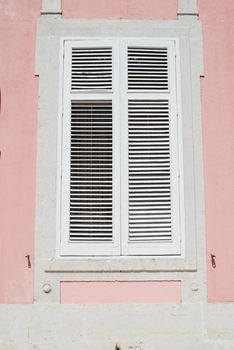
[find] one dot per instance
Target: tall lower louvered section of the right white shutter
(149, 171)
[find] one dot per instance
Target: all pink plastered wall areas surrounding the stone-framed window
(19, 98)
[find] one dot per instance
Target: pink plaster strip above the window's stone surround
(132, 9)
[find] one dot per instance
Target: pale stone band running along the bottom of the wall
(192, 326)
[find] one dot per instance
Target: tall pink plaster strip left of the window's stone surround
(17, 144)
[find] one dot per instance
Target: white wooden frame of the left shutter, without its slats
(70, 245)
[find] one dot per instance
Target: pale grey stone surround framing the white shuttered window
(51, 269)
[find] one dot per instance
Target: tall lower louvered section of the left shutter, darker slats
(91, 171)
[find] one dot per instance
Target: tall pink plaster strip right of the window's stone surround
(218, 140)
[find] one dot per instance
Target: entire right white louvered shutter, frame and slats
(151, 222)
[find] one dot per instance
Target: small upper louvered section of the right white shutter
(147, 68)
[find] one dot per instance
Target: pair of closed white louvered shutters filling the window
(120, 183)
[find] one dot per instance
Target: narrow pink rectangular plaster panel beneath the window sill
(121, 292)
